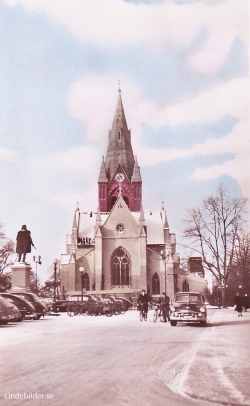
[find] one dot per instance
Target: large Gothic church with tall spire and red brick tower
(119, 247)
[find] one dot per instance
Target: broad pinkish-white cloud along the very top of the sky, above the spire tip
(116, 24)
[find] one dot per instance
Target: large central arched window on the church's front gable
(120, 267)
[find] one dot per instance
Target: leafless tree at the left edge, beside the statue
(7, 249)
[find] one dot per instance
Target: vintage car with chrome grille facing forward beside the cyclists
(188, 307)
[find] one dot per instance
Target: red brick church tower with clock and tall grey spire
(120, 172)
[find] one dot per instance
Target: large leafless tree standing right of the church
(212, 231)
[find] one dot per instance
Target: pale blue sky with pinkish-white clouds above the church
(184, 75)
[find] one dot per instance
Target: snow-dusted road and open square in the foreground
(118, 361)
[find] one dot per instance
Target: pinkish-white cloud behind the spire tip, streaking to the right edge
(89, 101)
